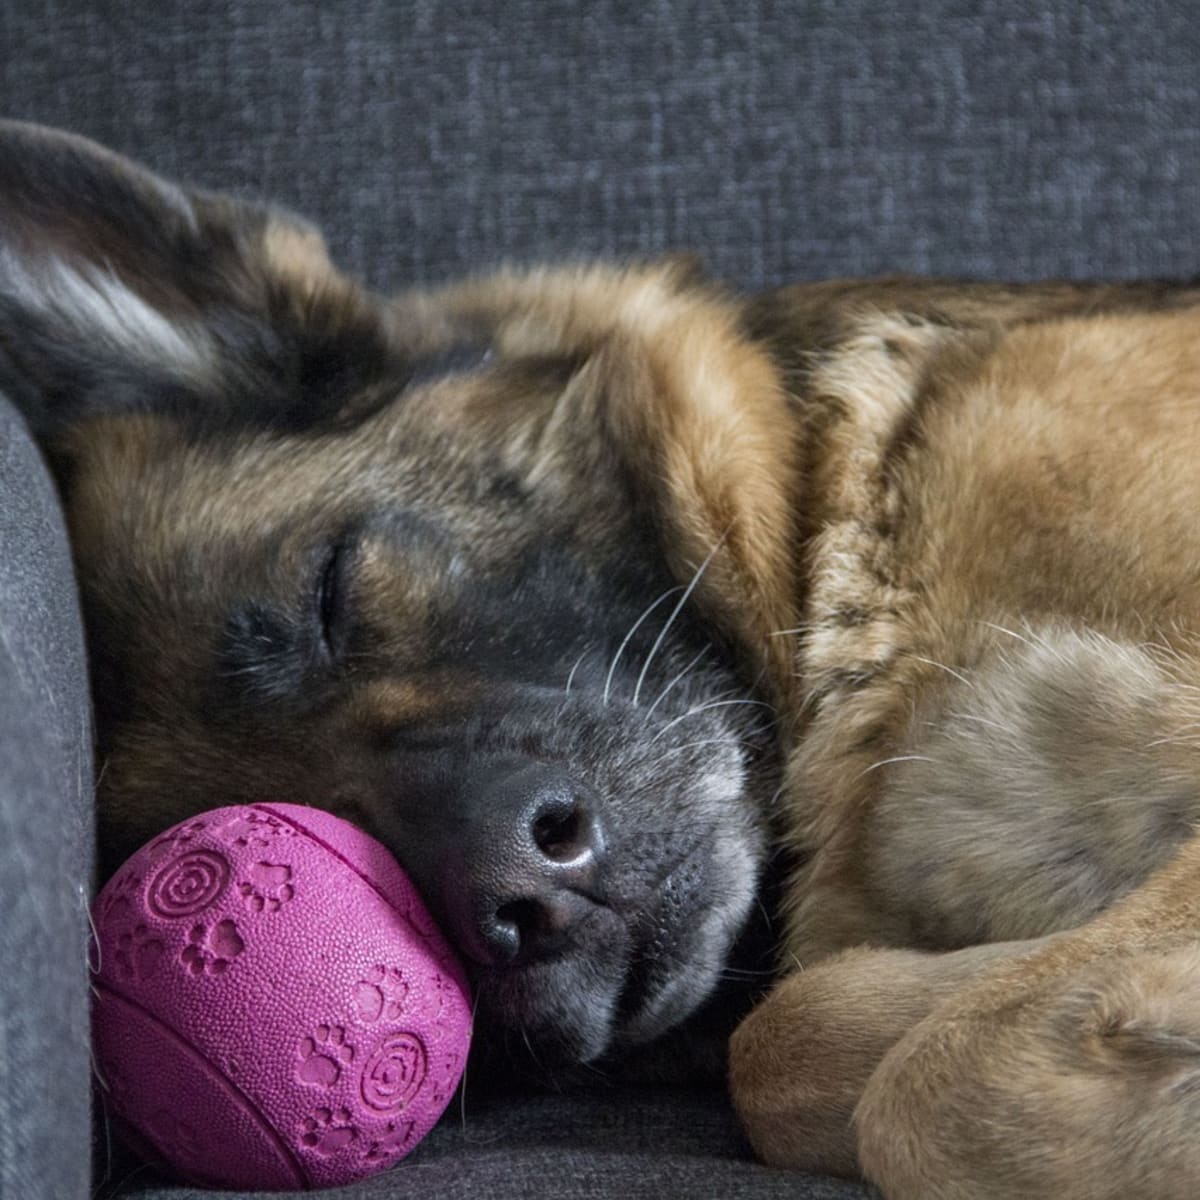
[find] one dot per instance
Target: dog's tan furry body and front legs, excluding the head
(1000, 741)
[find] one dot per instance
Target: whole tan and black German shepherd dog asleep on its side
(901, 580)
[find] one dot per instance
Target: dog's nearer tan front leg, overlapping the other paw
(1071, 1073)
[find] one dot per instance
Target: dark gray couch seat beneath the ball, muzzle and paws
(620, 1145)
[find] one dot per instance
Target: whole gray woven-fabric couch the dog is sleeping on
(995, 139)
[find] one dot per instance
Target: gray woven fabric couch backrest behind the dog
(1011, 139)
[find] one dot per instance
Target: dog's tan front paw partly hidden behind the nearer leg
(801, 1061)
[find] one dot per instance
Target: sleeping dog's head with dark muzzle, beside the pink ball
(512, 617)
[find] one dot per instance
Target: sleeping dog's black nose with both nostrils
(533, 859)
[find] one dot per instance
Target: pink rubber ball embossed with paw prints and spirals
(274, 1006)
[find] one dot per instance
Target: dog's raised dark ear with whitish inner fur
(121, 292)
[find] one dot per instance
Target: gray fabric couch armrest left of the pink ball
(45, 841)
